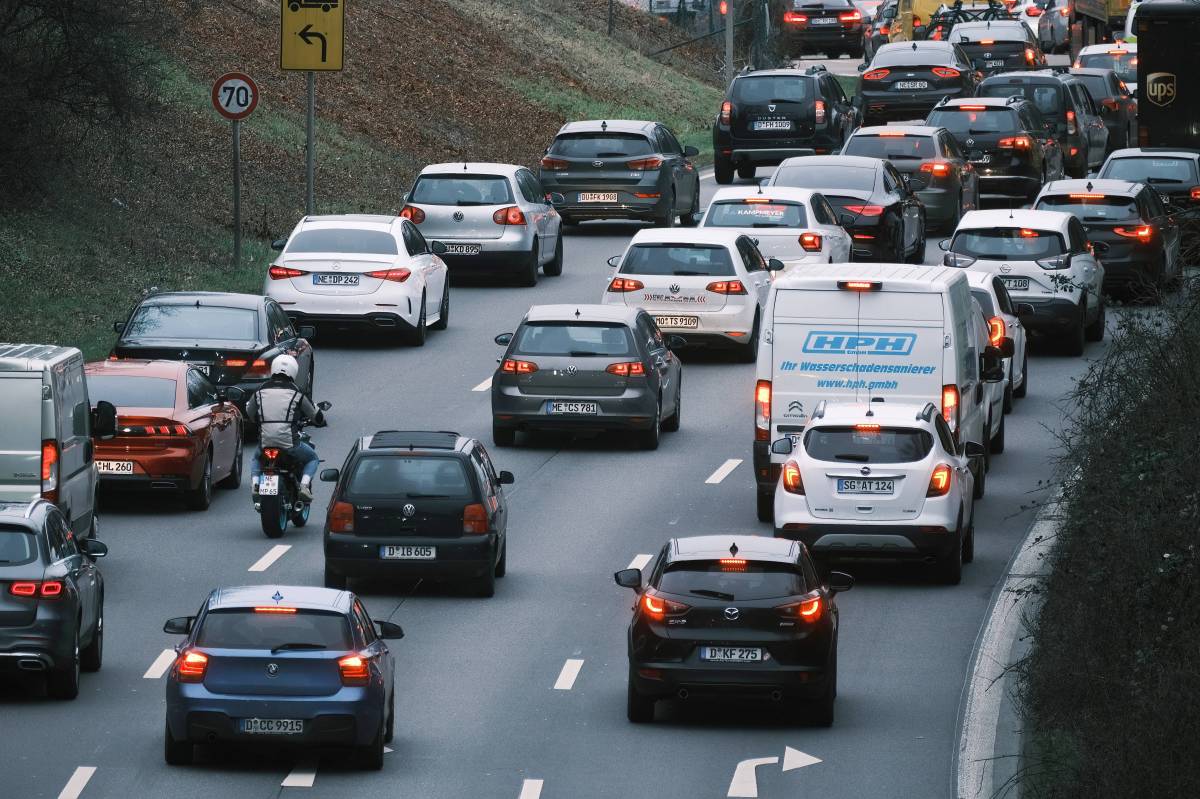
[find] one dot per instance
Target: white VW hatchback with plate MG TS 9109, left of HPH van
(707, 286)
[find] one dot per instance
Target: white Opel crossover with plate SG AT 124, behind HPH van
(879, 480)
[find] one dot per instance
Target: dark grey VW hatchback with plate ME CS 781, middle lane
(587, 368)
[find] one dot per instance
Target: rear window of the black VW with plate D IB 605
(416, 477)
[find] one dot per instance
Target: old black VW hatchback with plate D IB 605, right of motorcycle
(417, 504)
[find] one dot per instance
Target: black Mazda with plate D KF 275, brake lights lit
(734, 615)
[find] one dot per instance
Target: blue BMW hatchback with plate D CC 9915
(283, 665)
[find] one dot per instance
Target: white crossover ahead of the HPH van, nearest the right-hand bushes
(1046, 261)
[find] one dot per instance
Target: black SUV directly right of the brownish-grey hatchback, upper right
(1007, 142)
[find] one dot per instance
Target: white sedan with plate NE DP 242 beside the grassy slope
(362, 272)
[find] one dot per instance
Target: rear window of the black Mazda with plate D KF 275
(739, 581)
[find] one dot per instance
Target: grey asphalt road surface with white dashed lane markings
(489, 700)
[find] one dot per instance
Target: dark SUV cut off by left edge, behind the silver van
(52, 597)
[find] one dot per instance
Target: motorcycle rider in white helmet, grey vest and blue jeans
(280, 408)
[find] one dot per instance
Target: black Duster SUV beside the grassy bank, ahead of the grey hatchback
(775, 115)
